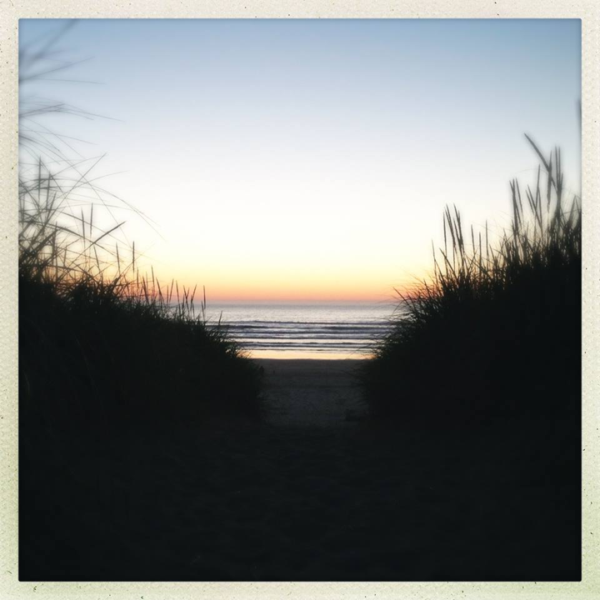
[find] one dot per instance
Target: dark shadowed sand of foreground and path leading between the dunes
(311, 492)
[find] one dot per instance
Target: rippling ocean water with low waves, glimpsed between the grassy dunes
(307, 330)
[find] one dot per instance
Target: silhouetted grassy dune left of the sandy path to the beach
(102, 346)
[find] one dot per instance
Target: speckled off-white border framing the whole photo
(13, 10)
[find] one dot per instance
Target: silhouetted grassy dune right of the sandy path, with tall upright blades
(497, 329)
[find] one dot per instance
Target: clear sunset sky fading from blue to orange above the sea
(310, 160)
